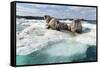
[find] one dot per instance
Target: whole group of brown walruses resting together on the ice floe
(53, 23)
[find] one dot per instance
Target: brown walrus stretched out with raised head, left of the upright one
(54, 23)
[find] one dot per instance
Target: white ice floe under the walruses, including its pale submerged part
(36, 36)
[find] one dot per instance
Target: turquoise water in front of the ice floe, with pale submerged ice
(57, 53)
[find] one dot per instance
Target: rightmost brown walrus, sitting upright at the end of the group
(75, 26)
